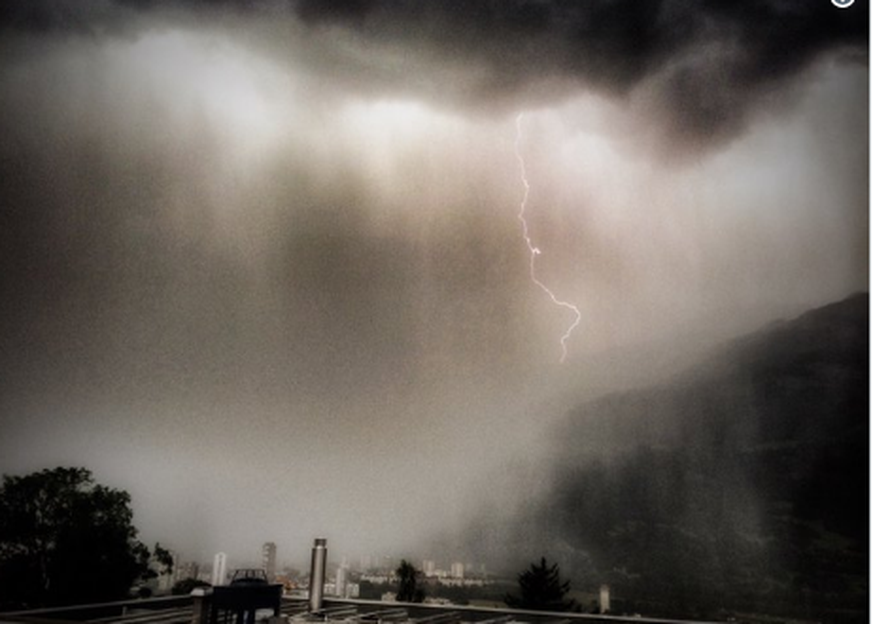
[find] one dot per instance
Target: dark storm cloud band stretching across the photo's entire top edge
(699, 68)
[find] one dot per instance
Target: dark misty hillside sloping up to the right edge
(740, 486)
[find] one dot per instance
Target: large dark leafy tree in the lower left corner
(66, 540)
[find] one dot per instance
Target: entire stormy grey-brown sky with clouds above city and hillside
(263, 264)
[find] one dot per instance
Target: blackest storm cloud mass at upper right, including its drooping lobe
(707, 64)
